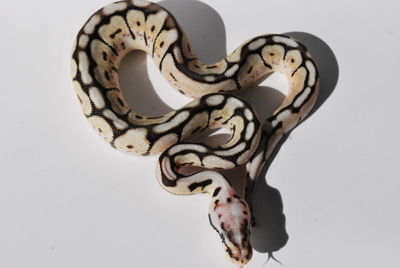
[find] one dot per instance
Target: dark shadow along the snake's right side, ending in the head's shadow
(269, 234)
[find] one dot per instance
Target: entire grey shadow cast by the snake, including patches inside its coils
(206, 32)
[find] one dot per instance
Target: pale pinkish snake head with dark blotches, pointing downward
(230, 217)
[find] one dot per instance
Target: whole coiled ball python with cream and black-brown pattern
(118, 28)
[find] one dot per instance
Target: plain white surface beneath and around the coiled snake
(67, 199)
